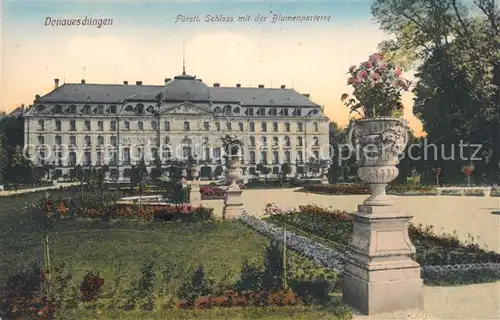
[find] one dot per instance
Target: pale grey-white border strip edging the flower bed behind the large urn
(333, 259)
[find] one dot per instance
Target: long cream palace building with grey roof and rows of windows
(118, 125)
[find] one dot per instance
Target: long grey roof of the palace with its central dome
(186, 89)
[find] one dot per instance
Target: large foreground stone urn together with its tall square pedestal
(380, 275)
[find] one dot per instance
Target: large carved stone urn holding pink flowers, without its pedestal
(378, 143)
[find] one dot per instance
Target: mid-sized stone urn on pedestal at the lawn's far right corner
(233, 203)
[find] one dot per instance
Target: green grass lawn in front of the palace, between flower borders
(119, 251)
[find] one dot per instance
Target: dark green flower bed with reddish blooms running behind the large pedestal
(336, 226)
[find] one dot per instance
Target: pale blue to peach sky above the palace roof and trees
(146, 41)
